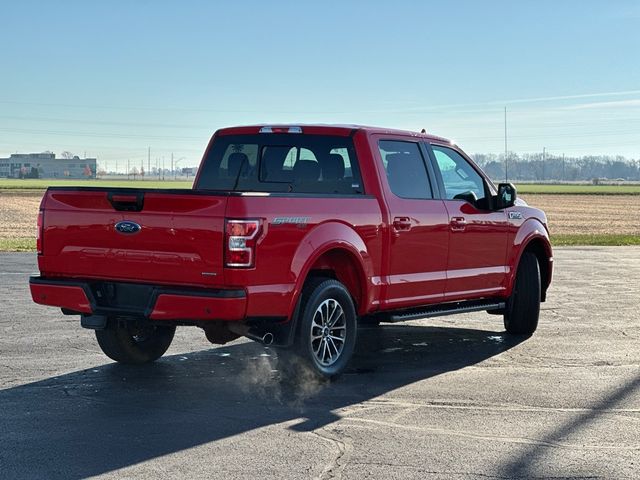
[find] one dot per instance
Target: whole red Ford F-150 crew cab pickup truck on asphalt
(290, 236)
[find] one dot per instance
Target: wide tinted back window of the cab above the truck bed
(282, 163)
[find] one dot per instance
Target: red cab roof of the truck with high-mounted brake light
(342, 130)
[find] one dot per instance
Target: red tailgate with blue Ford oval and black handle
(93, 233)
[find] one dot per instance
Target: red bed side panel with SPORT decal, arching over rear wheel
(286, 252)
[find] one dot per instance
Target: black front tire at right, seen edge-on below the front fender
(523, 307)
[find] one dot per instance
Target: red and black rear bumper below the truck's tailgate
(149, 301)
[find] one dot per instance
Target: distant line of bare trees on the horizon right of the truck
(539, 167)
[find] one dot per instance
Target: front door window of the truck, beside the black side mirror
(458, 176)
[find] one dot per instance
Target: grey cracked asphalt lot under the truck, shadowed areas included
(446, 398)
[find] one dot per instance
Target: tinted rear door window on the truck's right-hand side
(405, 168)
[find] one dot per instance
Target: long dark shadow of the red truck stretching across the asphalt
(101, 419)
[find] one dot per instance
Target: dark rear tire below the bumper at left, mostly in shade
(134, 344)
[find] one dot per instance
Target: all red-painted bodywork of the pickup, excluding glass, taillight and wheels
(181, 243)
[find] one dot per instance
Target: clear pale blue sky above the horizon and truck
(114, 77)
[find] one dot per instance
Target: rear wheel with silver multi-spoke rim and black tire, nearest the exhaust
(318, 348)
